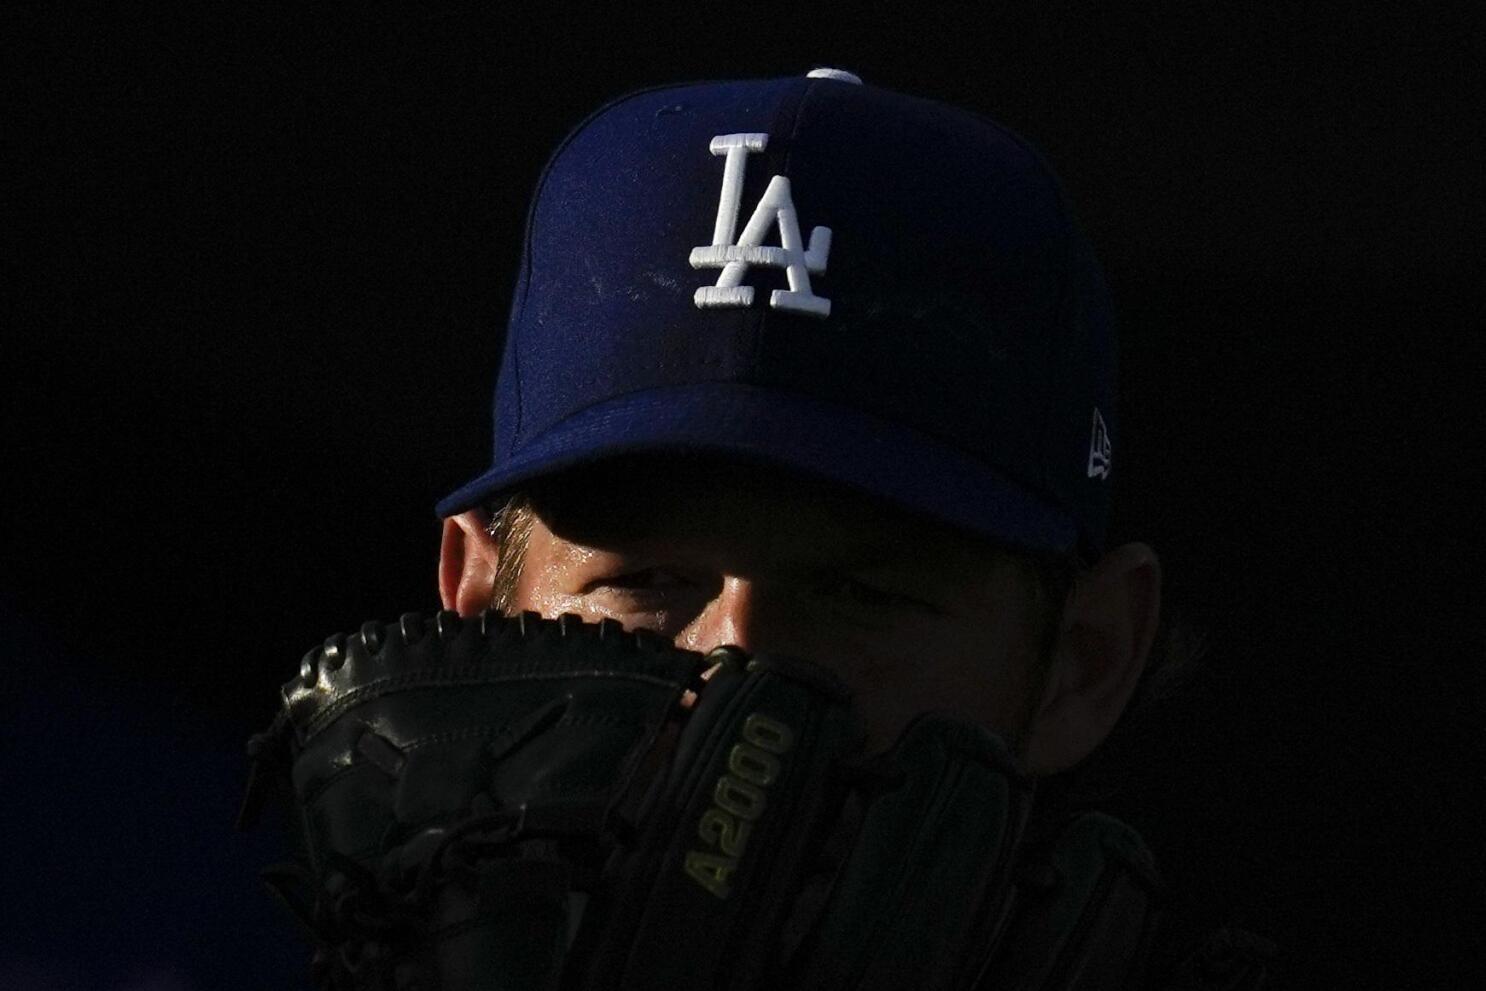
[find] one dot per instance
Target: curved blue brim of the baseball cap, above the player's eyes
(830, 442)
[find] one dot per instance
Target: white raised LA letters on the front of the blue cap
(735, 259)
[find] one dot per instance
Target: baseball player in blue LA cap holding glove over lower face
(802, 375)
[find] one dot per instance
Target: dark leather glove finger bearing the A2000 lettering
(747, 797)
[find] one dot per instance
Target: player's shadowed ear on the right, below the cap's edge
(1109, 625)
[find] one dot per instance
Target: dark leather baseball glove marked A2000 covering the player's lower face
(524, 803)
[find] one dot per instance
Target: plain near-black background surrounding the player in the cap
(256, 276)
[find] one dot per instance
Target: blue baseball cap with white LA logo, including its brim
(823, 276)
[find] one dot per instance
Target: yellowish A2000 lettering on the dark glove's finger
(739, 799)
